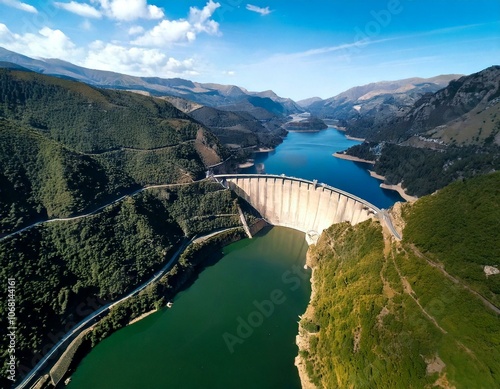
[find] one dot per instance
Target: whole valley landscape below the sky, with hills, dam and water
(103, 187)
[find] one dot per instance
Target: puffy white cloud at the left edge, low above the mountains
(47, 43)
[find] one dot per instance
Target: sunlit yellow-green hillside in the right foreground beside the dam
(403, 314)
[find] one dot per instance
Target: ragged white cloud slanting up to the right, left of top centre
(182, 30)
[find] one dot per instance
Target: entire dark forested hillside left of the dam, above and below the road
(66, 149)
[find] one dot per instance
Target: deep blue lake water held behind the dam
(308, 155)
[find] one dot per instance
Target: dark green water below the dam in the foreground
(201, 342)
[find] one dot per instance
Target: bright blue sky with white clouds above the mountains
(296, 48)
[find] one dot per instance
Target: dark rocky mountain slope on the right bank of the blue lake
(452, 134)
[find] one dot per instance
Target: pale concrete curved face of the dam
(299, 204)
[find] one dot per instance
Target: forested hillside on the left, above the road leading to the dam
(67, 148)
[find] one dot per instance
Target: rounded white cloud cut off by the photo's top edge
(128, 10)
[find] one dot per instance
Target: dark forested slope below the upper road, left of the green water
(61, 267)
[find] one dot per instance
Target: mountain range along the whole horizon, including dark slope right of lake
(405, 122)
